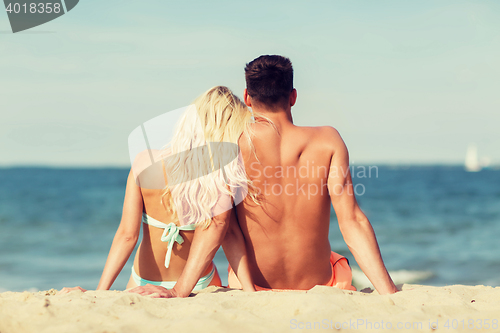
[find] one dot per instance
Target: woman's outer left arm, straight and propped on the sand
(126, 236)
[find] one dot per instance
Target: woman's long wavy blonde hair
(203, 166)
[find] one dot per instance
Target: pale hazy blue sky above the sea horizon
(404, 82)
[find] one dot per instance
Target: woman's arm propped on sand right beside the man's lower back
(236, 254)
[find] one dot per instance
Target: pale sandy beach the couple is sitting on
(415, 309)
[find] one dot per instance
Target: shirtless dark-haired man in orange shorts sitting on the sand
(297, 172)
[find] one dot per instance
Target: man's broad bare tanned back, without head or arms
(287, 235)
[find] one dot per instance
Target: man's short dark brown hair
(269, 78)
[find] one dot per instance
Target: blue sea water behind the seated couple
(435, 225)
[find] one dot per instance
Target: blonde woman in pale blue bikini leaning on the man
(194, 204)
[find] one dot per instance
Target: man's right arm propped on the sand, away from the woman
(354, 225)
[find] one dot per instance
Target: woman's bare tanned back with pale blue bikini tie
(153, 257)
